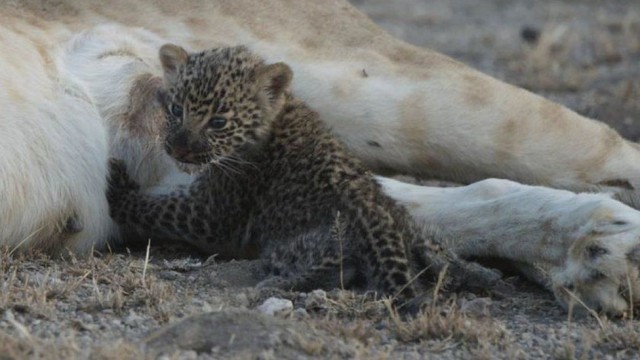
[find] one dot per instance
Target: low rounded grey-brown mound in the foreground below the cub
(240, 334)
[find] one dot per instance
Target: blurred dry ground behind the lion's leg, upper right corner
(582, 53)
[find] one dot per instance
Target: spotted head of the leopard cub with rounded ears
(219, 102)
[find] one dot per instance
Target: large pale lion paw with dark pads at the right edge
(601, 270)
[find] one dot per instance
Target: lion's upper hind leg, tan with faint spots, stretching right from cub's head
(464, 126)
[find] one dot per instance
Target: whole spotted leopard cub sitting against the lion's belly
(274, 183)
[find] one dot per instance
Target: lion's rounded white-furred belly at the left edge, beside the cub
(53, 151)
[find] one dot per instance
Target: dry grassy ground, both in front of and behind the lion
(172, 304)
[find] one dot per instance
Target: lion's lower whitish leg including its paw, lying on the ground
(588, 243)
